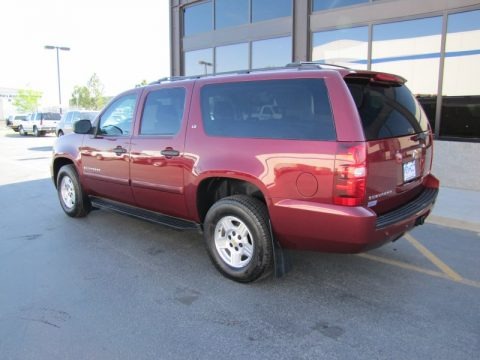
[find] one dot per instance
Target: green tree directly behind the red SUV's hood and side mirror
(89, 96)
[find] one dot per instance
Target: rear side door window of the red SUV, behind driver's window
(163, 112)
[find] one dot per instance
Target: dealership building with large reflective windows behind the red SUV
(434, 44)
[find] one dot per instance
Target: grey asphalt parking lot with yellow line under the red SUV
(112, 287)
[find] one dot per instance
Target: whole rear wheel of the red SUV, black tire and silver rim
(243, 256)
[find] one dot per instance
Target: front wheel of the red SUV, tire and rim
(70, 193)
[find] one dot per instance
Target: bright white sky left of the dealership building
(122, 41)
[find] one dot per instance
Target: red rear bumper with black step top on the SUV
(330, 228)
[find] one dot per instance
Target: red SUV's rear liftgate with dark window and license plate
(399, 140)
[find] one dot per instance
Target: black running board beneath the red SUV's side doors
(147, 215)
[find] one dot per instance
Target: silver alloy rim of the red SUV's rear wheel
(234, 242)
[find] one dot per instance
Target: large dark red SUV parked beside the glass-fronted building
(304, 157)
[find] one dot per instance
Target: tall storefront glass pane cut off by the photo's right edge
(461, 91)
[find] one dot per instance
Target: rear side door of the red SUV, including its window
(157, 158)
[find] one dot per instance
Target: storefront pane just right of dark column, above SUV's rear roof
(345, 47)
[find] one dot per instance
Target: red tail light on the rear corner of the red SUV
(350, 174)
